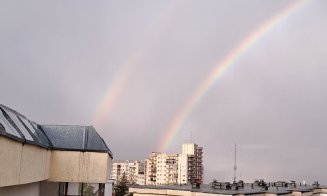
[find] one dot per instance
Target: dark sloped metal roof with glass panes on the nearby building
(59, 137)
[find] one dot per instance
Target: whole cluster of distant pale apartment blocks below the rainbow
(159, 168)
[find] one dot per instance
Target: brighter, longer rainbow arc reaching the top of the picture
(219, 69)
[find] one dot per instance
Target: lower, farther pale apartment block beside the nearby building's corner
(133, 170)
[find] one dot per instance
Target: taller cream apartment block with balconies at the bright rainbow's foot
(169, 169)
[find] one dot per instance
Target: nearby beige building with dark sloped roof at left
(50, 160)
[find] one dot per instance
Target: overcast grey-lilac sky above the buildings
(128, 68)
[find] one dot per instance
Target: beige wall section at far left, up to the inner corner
(22, 163)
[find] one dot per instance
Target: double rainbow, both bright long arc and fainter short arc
(116, 86)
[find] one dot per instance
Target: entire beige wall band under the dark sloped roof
(24, 163)
